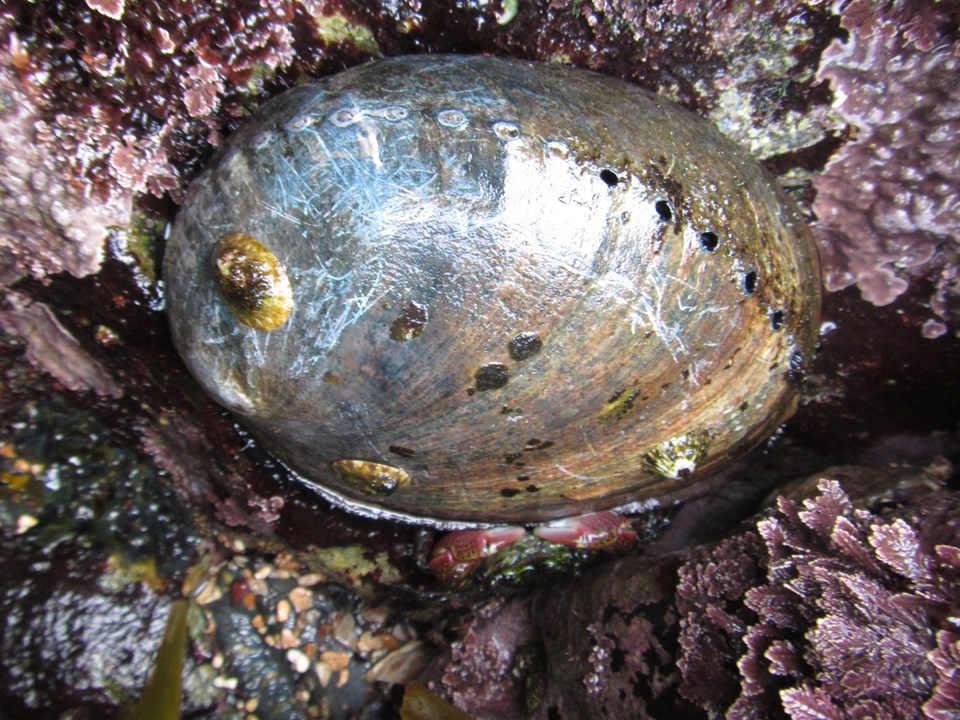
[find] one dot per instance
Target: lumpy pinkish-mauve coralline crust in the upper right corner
(889, 202)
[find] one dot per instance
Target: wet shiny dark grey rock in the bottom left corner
(69, 642)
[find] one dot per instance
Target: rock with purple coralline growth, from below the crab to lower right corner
(822, 610)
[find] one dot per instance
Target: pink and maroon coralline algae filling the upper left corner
(104, 102)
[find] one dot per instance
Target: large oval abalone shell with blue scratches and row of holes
(516, 291)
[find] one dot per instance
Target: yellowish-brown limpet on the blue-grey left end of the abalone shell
(251, 281)
